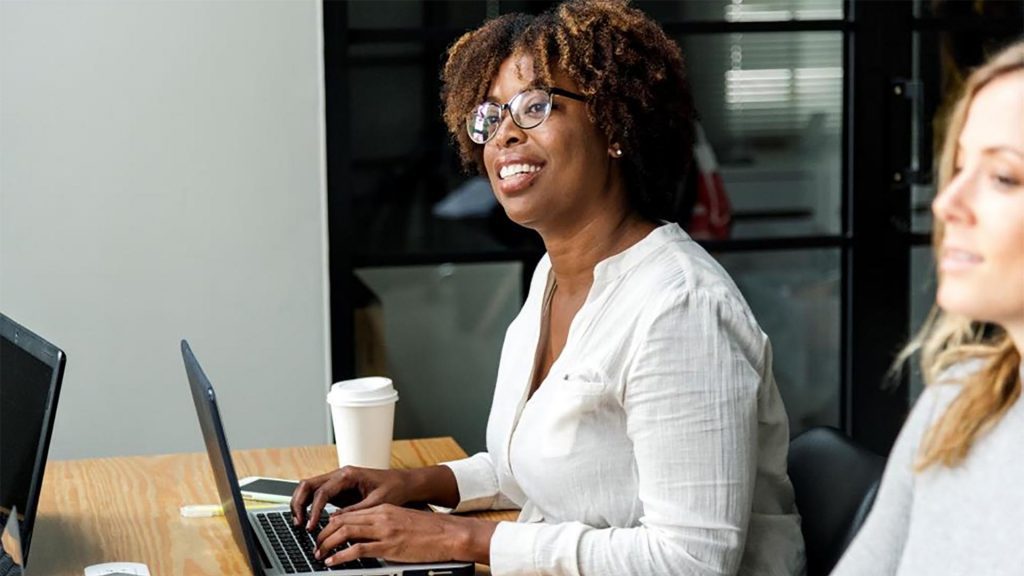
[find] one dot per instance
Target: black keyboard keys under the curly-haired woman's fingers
(294, 547)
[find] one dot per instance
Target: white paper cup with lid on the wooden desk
(363, 413)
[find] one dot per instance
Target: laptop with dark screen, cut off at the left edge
(31, 371)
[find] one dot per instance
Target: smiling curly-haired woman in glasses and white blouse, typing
(635, 420)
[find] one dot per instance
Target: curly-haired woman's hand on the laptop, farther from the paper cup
(405, 536)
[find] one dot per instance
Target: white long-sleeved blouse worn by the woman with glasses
(657, 444)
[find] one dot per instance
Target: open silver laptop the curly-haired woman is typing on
(267, 537)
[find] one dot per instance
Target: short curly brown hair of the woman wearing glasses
(630, 71)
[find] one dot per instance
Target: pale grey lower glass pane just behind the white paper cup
(438, 332)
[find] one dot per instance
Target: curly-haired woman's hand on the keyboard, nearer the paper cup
(374, 487)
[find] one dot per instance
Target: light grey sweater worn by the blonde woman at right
(968, 520)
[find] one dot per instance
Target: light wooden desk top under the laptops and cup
(126, 510)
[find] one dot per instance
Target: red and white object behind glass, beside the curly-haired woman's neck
(712, 218)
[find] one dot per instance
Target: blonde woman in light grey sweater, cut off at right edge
(952, 501)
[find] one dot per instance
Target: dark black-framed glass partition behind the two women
(823, 116)
